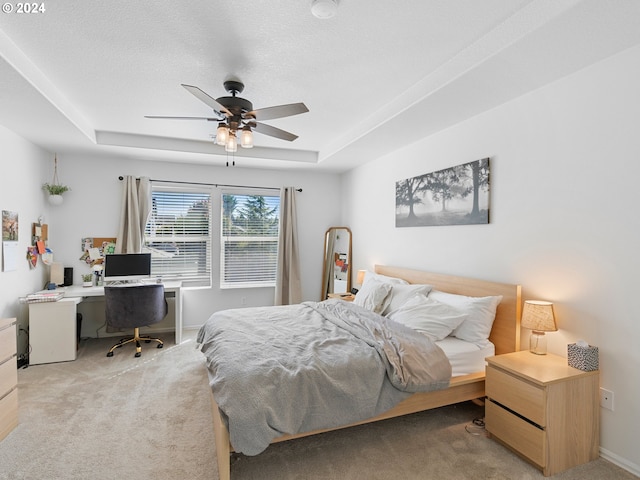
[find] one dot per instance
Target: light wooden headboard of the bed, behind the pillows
(505, 333)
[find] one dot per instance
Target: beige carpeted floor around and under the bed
(150, 418)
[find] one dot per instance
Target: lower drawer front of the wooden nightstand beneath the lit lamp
(519, 434)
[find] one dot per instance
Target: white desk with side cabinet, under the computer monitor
(52, 325)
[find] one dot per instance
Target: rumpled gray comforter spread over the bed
(297, 368)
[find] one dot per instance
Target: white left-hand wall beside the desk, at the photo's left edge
(24, 169)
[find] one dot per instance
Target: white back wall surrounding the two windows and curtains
(92, 209)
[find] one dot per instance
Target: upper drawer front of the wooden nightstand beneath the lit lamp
(518, 395)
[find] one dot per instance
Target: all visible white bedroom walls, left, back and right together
(564, 220)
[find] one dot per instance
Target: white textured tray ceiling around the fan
(81, 76)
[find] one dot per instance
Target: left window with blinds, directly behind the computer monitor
(178, 234)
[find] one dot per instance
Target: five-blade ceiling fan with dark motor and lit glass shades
(236, 114)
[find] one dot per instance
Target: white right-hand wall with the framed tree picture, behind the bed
(564, 218)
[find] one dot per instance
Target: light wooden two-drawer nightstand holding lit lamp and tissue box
(543, 409)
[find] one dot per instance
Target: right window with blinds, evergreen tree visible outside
(249, 240)
